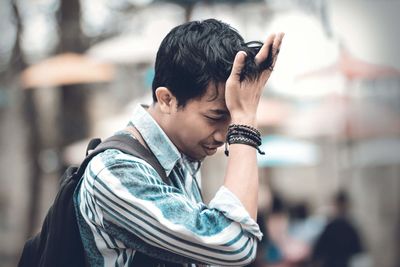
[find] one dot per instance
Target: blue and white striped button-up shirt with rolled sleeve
(124, 206)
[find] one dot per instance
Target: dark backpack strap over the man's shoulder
(126, 144)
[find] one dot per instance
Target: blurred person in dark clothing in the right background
(339, 242)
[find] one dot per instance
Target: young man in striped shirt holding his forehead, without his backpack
(206, 79)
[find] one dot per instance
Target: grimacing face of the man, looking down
(200, 127)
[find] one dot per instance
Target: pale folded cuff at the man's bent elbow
(228, 203)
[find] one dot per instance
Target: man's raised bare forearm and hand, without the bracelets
(242, 99)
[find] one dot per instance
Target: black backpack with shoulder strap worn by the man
(59, 242)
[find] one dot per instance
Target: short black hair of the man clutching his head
(199, 53)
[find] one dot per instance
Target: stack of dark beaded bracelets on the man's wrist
(243, 134)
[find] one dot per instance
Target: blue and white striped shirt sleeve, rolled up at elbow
(132, 198)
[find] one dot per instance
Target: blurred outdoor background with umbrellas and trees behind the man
(330, 115)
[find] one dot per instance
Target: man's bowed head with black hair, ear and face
(192, 65)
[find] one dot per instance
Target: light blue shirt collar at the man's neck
(156, 139)
